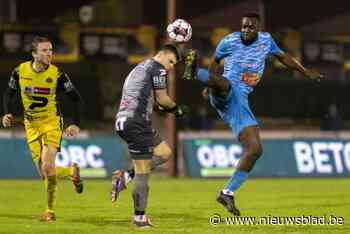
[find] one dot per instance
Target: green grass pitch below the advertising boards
(175, 206)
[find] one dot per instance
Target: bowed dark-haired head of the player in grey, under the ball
(168, 55)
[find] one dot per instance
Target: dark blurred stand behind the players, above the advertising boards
(98, 42)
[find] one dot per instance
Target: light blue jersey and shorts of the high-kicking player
(243, 67)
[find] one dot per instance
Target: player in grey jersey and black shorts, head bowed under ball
(144, 86)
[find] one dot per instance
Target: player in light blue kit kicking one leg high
(244, 54)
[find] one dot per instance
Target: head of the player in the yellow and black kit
(42, 50)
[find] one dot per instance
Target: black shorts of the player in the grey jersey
(139, 135)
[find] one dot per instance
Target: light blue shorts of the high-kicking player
(234, 110)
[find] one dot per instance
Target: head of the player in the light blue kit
(250, 26)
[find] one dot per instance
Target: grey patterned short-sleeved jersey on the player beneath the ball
(138, 89)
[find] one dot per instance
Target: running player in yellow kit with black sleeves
(38, 83)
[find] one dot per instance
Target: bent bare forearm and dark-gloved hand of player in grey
(166, 104)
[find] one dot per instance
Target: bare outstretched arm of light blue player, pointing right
(294, 64)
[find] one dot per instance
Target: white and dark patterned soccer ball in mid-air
(179, 31)
